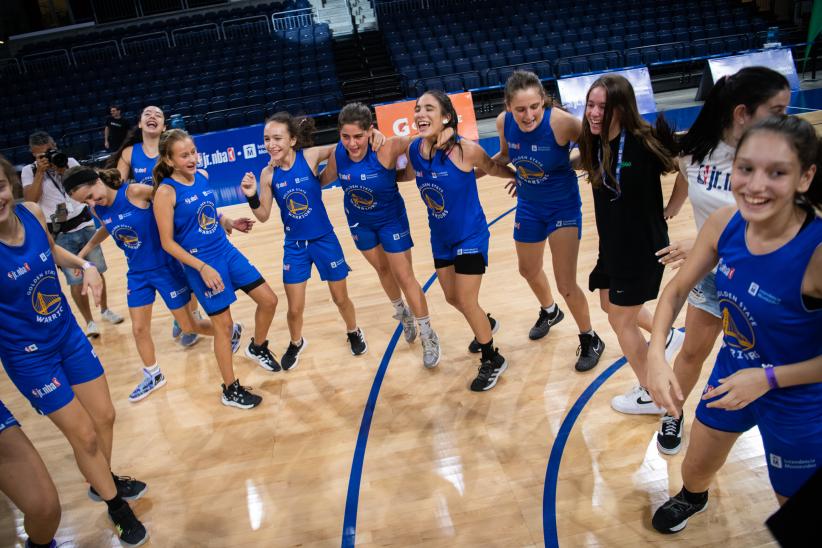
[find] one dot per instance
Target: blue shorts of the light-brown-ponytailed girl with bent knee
(236, 272)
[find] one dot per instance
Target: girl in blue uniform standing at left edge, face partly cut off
(50, 361)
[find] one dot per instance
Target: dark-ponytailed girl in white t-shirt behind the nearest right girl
(707, 151)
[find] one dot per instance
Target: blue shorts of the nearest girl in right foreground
(792, 456)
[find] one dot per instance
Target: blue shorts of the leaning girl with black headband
(169, 281)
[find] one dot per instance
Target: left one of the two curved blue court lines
(349, 534)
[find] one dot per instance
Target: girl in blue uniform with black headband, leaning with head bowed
(125, 211)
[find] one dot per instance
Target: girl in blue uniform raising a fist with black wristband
(291, 179)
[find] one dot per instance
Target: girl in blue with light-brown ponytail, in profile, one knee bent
(194, 233)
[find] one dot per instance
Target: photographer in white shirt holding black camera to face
(69, 221)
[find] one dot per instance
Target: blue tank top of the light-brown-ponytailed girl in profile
(197, 227)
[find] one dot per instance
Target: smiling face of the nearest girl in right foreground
(767, 174)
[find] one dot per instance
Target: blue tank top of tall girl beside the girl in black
(543, 167)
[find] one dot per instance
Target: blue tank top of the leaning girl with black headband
(134, 230)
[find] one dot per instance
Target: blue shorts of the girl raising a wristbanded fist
(324, 252)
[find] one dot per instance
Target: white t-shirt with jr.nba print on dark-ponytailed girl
(709, 181)
